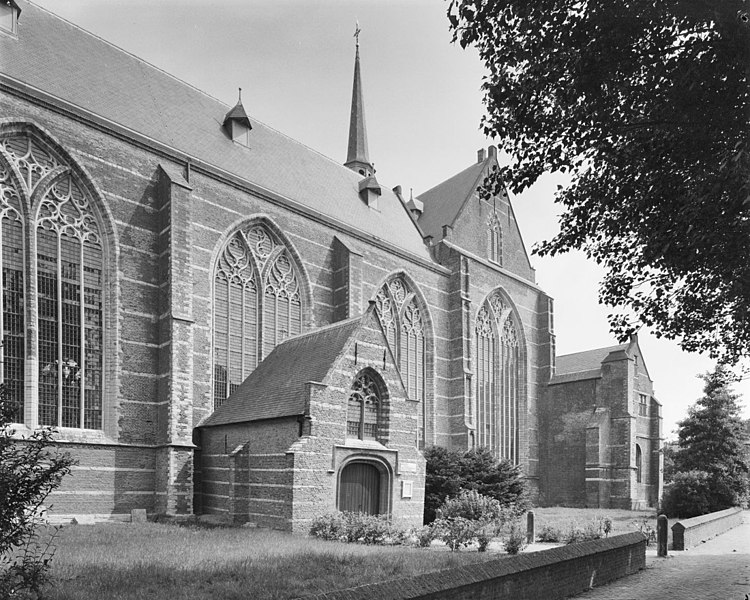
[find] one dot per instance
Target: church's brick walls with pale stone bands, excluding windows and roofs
(165, 221)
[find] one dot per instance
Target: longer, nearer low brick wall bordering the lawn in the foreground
(546, 575)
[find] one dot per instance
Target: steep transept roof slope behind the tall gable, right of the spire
(443, 202)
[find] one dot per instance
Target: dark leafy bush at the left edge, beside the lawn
(30, 468)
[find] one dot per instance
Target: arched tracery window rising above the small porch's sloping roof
(257, 304)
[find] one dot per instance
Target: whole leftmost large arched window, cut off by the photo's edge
(68, 268)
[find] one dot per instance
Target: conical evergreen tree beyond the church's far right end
(710, 440)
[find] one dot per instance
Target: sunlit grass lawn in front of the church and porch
(152, 560)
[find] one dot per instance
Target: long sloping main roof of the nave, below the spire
(66, 62)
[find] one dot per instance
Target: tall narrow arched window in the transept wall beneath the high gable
(498, 377)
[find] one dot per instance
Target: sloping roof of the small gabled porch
(276, 388)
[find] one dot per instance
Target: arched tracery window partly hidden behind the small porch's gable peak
(404, 328)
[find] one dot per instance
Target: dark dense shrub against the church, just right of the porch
(449, 472)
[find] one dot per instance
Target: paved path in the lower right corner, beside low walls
(716, 570)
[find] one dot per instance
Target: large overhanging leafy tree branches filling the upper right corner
(646, 106)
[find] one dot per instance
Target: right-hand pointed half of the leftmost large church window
(69, 295)
